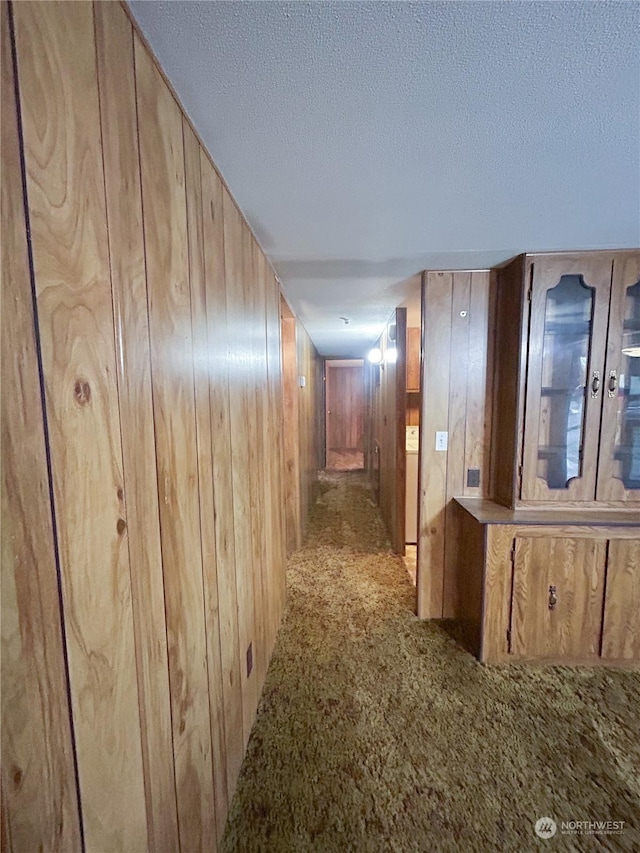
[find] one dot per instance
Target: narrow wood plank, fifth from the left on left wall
(205, 467)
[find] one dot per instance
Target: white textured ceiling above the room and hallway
(366, 141)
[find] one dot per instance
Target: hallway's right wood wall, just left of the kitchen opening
(385, 413)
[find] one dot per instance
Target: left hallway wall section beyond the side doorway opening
(303, 434)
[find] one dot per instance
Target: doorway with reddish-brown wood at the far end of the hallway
(344, 414)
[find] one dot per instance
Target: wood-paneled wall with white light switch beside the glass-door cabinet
(457, 389)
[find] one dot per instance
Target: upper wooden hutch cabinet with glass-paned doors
(567, 405)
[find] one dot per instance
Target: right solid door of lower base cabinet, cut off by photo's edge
(621, 629)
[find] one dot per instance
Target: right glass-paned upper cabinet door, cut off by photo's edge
(619, 459)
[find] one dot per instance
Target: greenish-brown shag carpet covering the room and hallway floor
(377, 732)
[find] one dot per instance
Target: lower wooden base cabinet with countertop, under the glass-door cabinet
(559, 587)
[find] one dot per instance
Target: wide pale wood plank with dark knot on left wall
(57, 73)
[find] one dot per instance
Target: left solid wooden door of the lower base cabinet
(558, 588)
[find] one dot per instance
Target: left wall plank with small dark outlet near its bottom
(239, 414)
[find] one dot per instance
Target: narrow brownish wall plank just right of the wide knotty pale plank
(114, 37)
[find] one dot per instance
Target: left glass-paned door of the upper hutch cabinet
(565, 382)
